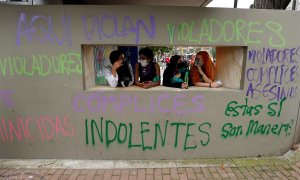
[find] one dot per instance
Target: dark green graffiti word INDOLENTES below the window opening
(148, 135)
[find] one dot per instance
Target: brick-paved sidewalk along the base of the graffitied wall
(283, 167)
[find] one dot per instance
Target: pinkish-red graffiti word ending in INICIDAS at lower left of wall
(48, 128)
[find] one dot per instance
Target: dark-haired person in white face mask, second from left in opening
(147, 72)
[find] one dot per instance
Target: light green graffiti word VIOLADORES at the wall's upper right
(213, 30)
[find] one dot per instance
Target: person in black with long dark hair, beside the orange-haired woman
(176, 73)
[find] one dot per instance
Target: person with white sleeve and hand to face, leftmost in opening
(119, 73)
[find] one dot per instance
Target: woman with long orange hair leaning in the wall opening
(203, 71)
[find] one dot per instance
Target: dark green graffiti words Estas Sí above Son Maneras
(235, 109)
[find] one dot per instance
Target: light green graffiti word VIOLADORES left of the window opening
(41, 65)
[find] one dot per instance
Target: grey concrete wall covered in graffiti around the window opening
(46, 112)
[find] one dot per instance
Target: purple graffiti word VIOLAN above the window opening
(110, 26)
